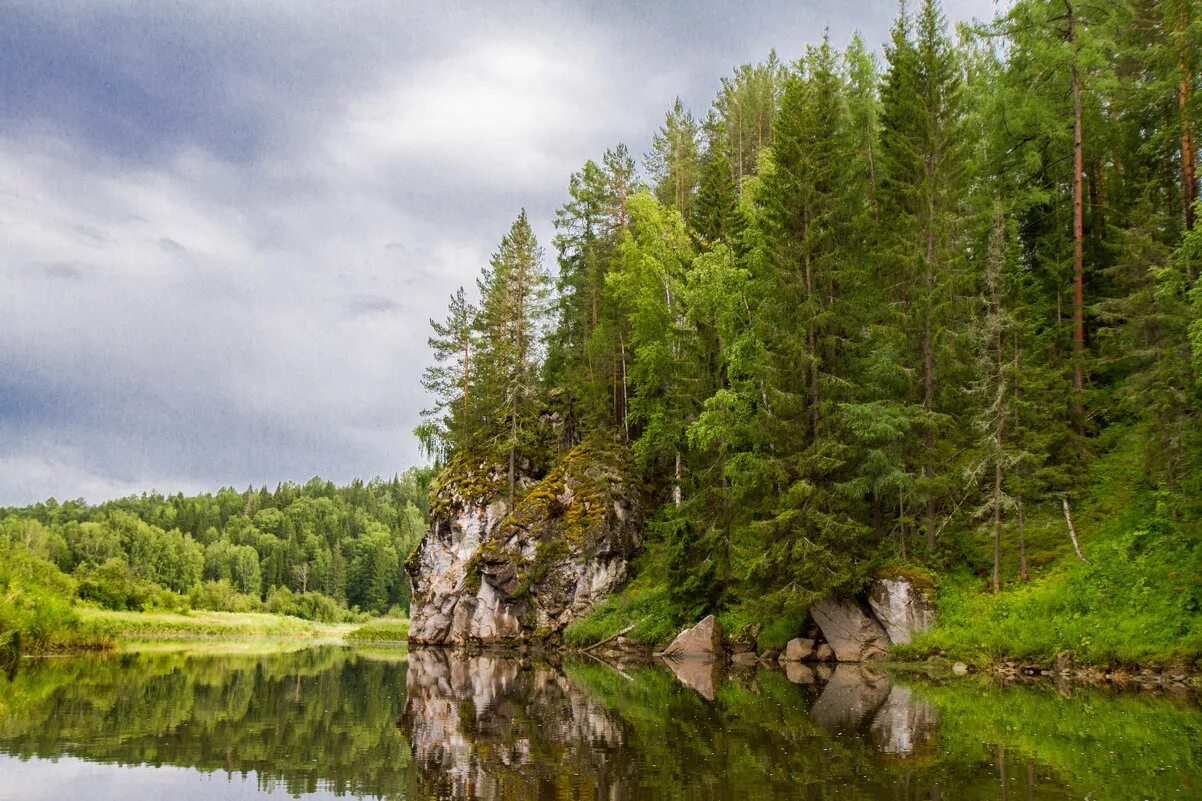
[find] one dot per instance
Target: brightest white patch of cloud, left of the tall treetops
(505, 112)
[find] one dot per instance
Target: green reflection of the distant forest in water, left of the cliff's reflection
(318, 719)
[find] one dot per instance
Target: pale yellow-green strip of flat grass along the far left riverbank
(153, 626)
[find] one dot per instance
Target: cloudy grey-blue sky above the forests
(225, 227)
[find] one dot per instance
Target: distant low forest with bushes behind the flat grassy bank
(316, 550)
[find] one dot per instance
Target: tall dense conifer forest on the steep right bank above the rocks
(937, 311)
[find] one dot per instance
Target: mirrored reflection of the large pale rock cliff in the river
(489, 728)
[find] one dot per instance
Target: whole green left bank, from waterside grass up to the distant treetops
(295, 562)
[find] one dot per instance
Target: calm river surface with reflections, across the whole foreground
(336, 722)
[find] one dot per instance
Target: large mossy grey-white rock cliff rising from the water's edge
(493, 575)
